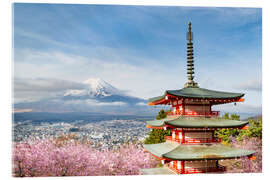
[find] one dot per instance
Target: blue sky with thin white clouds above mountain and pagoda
(139, 49)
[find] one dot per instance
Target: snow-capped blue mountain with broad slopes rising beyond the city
(98, 96)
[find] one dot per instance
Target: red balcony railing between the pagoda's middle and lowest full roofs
(194, 140)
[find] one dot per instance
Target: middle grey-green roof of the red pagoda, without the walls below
(198, 122)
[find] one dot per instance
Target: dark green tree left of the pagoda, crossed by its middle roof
(157, 135)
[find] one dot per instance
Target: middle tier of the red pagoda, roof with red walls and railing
(190, 130)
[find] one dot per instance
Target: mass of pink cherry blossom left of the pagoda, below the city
(48, 158)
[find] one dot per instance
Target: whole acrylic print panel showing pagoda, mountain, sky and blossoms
(89, 79)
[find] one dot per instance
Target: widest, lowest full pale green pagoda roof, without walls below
(175, 151)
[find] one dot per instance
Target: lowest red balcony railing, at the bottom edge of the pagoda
(219, 168)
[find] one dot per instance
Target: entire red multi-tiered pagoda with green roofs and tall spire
(192, 147)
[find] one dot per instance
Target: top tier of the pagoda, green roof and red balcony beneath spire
(195, 101)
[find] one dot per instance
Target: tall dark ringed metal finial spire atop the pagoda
(190, 65)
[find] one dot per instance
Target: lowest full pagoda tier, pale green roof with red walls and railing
(188, 159)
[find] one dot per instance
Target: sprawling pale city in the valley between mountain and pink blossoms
(103, 134)
